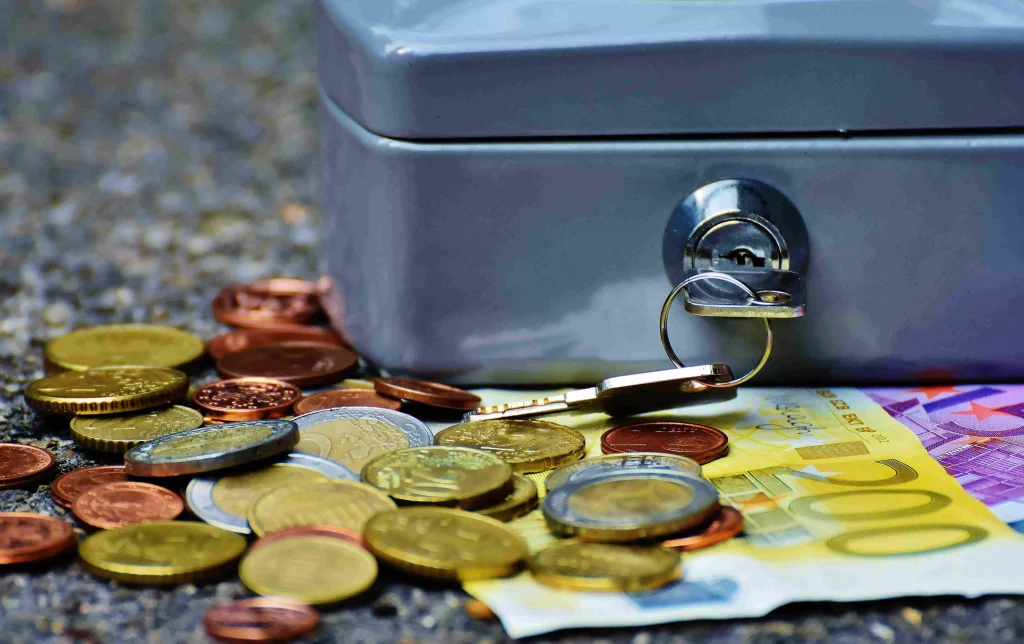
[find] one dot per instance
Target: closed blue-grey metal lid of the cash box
(497, 69)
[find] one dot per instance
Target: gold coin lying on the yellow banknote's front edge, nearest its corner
(605, 568)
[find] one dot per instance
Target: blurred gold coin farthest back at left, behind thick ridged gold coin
(123, 346)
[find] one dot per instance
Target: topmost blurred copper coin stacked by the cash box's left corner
(280, 304)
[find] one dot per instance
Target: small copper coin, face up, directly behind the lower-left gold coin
(122, 503)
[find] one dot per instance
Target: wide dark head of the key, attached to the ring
(654, 392)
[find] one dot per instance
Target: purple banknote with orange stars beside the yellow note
(975, 432)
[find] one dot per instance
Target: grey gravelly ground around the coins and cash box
(153, 151)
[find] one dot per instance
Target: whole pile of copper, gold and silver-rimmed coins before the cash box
(331, 484)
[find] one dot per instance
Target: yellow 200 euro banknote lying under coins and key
(841, 503)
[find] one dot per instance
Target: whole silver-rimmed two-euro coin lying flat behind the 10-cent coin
(354, 437)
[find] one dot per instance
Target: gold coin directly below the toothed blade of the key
(527, 446)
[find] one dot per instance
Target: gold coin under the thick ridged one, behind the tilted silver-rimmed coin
(118, 434)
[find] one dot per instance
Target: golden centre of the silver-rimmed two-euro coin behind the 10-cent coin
(353, 443)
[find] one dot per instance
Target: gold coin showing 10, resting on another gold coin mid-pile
(454, 477)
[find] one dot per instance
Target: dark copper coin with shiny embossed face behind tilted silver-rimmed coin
(246, 399)
